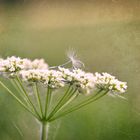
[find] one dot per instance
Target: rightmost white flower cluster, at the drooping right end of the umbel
(108, 82)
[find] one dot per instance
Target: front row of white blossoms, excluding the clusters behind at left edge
(85, 82)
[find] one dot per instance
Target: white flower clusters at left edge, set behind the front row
(13, 64)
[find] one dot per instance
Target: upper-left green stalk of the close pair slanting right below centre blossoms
(59, 103)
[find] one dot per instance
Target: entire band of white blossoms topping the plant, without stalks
(38, 71)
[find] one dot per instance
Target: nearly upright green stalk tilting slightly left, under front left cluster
(38, 99)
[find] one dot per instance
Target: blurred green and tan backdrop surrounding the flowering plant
(105, 35)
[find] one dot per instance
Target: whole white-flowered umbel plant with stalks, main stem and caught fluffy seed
(74, 82)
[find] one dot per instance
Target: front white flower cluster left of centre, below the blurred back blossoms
(51, 78)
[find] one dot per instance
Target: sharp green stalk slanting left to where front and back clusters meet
(26, 94)
